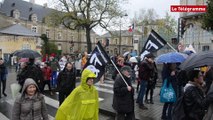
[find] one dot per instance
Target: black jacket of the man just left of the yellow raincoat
(66, 80)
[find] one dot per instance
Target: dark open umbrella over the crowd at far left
(26, 53)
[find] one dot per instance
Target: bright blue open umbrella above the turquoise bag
(171, 57)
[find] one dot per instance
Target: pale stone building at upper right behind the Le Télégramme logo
(201, 39)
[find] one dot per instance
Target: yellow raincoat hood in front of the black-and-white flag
(86, 74)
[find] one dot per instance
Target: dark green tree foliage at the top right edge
(208, 16)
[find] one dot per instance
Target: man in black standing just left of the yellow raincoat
(66, 81)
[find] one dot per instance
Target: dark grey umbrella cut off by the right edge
(198, 60)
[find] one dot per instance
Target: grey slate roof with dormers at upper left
(25, 8)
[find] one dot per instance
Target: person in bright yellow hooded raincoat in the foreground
(82, 103)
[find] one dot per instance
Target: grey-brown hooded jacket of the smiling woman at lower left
(26, 108)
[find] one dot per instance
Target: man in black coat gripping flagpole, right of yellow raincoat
(123, 98)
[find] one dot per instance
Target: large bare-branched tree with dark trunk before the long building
(87, 14)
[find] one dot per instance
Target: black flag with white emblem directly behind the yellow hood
(98, 61)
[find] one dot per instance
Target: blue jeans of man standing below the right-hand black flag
(142, 91)
